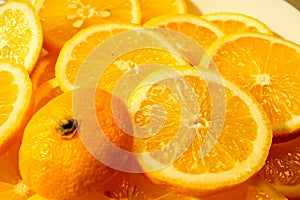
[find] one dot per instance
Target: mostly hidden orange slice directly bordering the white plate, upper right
(236, 22)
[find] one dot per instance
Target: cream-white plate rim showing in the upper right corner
(280, 16)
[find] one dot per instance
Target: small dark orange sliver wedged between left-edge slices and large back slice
(44, 70)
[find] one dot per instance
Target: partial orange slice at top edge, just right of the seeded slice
(152, 8)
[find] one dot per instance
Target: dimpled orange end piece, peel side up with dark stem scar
(55, 163)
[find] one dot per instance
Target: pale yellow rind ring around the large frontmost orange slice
(209, 183)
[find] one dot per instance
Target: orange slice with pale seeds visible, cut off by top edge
(62, 19)
